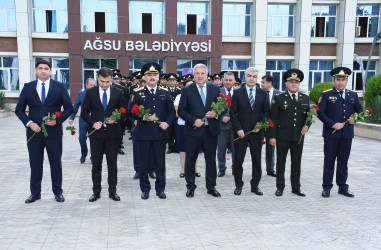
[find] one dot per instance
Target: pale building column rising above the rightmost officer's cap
(346, 35)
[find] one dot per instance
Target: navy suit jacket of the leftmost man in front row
(57, 97)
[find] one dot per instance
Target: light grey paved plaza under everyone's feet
(203, 222)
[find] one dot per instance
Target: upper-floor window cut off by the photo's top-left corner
(7, 15)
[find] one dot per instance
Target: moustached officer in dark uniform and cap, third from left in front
(151, 136)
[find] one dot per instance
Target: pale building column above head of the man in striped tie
(259, 36)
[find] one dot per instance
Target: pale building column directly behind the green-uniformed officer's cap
(303, 13)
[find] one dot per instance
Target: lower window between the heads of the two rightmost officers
(320, 71)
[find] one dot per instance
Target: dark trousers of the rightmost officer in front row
(336, 149)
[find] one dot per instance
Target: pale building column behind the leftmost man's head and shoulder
(24, 42)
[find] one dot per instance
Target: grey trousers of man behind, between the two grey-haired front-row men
(225, 137)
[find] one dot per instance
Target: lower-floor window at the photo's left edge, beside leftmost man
(9, 73)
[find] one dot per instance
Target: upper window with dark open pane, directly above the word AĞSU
(99, 16)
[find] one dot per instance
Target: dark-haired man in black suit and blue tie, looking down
(99, 103)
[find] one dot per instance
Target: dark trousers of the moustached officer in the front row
(149, 150)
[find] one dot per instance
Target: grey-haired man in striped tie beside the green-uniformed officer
(249, 106)
